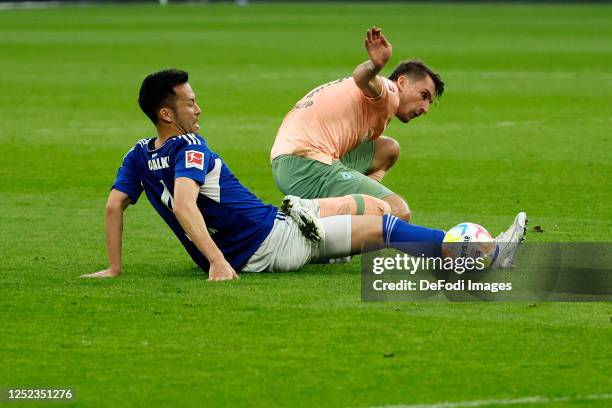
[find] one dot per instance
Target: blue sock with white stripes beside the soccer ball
(425, 241)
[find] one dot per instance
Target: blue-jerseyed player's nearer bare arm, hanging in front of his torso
(189, 216)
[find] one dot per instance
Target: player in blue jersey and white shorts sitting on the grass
(222, 225)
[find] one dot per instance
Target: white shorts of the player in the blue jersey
(286, 249)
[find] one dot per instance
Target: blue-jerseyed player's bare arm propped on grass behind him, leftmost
(113, 228)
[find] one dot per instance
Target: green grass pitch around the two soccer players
(525, 124)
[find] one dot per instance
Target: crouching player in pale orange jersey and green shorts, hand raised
(331, 143)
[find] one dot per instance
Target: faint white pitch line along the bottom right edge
(516, 401)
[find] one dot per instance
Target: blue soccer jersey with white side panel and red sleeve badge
(236, 219)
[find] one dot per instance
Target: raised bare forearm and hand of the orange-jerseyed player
(379, 52)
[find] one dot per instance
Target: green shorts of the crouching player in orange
(308, 178)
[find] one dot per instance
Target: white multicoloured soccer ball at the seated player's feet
(469, 240)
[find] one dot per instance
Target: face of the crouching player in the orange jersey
(415, 97)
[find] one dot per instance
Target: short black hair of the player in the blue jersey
(157, 90)
